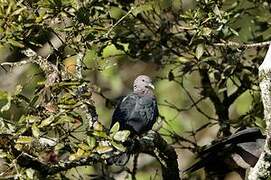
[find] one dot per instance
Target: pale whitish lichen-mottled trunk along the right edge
(262, 169)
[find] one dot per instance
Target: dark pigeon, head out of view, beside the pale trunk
(237, 152)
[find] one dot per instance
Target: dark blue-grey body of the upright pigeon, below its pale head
(136, 112)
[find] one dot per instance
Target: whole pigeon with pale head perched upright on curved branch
(138, 110)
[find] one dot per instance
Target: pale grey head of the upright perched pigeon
(143, 85)
